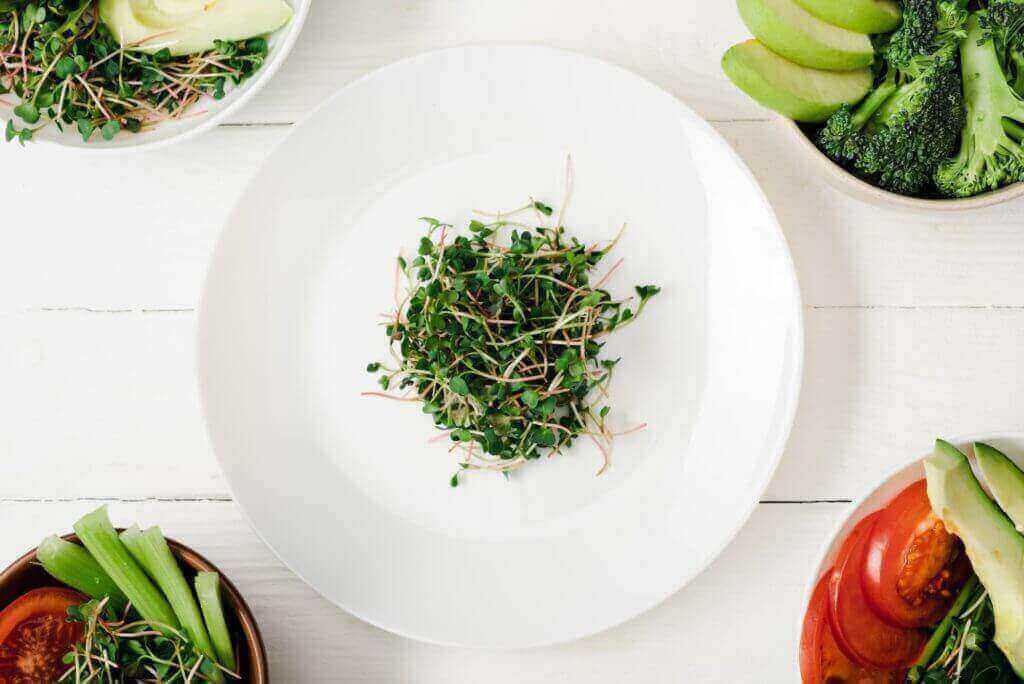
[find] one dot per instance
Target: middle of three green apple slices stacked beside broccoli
(799, 36)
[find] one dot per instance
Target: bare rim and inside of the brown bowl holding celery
(26, 574)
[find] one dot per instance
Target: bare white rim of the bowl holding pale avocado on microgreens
(281, 45)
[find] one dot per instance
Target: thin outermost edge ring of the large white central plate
(792, 390)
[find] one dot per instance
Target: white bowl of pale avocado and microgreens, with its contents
(104, 75)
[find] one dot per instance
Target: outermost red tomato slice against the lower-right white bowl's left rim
(822, 661)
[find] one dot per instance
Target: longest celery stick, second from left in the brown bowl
(102, 540)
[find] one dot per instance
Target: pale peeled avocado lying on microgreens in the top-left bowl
(190, 27)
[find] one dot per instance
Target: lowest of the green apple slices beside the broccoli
(795, 92)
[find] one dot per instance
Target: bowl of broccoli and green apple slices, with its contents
(916, 104)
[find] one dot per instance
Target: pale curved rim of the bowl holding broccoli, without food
(846, 183)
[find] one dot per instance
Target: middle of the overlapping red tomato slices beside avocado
(865, 637)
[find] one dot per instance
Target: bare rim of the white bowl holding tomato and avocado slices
(1011, 444)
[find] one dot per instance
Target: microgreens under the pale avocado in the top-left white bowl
(66, 67)
